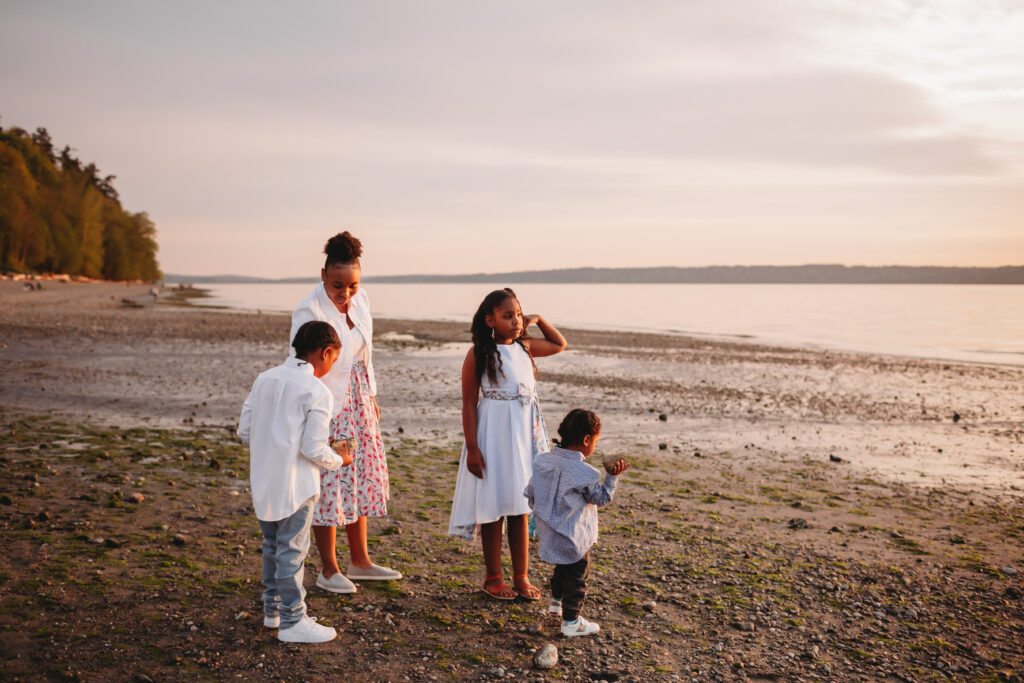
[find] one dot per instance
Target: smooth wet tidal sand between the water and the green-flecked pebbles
(74, 350)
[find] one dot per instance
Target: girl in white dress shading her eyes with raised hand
(504, 430)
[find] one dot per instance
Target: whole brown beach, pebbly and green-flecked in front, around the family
(792, 515)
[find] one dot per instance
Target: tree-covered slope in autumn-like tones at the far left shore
(61, 216)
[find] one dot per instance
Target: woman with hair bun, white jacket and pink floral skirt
(351, 495)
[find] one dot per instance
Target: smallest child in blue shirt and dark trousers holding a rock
(565, 494)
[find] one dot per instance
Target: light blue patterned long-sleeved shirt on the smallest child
(565, 494)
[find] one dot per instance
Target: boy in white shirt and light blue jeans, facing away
(285, 422)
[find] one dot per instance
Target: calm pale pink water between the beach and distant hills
(964, 323)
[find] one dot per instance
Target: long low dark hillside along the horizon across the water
(750, 275)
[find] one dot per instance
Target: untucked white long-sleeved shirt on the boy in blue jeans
(286, 424)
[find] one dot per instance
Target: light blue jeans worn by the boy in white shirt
(286, 544)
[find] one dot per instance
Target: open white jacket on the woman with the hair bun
(318, 307)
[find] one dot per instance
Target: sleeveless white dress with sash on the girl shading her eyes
(510, 433)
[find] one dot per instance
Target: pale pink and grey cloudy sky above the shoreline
(465, 137)
